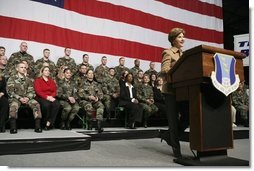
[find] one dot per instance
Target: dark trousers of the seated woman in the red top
(49, 109)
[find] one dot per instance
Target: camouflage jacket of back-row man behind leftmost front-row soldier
(17, 58)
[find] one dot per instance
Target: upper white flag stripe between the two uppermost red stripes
(169, 12)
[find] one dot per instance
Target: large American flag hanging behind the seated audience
(115, 28)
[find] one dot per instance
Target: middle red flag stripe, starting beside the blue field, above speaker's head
(130, 16)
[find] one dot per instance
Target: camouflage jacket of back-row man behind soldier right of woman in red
(70, 63)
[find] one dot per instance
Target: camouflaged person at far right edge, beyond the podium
(240, 100)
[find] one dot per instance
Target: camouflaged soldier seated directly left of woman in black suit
(111, 91)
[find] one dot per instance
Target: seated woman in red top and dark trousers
(45, 89)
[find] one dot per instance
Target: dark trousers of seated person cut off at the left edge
(4, 108)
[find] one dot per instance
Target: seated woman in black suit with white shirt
(128, 100)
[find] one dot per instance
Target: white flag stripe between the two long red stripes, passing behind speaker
(90, 25)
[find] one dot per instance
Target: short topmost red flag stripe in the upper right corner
(196, 6)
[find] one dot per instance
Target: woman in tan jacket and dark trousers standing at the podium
(169, 58)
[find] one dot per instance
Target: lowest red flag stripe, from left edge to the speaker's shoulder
(45, 33)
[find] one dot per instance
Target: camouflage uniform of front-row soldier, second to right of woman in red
(84, 91)
